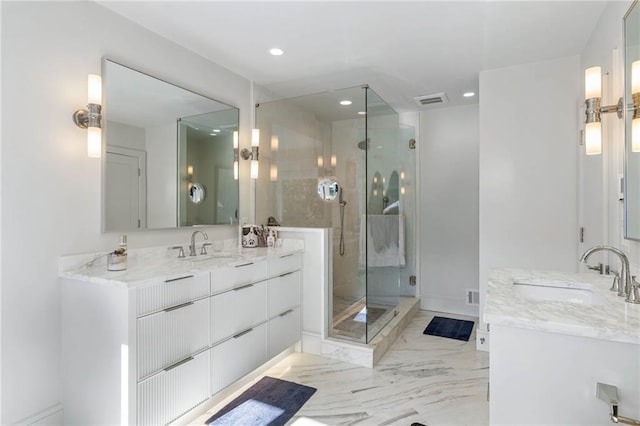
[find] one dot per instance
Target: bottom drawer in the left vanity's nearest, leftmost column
(164, 397)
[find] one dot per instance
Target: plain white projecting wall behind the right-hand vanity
(528, 141)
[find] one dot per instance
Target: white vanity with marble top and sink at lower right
(554, 336)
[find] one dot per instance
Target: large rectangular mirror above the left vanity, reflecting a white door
(168, 156)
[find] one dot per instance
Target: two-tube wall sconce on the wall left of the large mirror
(90, 118)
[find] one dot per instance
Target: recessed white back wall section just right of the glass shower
(448, 208)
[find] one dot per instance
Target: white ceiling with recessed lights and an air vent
(401, 49)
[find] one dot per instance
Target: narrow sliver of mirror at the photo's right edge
(632, 122)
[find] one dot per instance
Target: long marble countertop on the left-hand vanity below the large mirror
(150, 265)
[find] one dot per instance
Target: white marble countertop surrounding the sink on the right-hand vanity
(613, 320)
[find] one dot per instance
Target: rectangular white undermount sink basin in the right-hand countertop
(559, 291)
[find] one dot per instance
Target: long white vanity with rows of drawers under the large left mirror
(150, 344)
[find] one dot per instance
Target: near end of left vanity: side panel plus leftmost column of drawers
(131, 355)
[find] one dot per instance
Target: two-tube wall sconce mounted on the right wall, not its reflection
(593, 97)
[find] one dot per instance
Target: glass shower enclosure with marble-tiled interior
(353, 137)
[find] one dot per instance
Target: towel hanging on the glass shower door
(382, 240)
